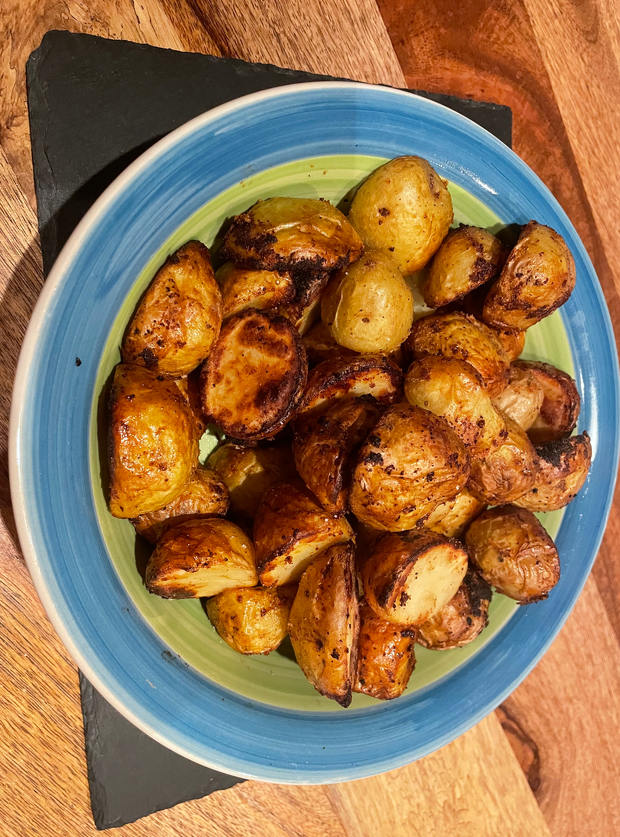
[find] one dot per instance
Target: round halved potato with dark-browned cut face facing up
(255, 375)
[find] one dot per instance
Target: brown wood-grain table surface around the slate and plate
(547, 760)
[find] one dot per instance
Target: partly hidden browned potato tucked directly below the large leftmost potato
(203, 494)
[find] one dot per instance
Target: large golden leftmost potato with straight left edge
(152, 441)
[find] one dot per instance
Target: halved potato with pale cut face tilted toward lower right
(411, 576)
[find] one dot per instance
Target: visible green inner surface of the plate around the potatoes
(183, 625)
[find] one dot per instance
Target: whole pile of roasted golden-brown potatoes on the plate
(383, 448)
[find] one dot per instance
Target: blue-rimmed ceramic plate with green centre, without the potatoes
(159, 662)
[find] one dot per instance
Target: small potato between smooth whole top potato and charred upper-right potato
(467, 258)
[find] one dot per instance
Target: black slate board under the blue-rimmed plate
(95, 105)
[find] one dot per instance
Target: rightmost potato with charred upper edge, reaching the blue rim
(561, 470)
